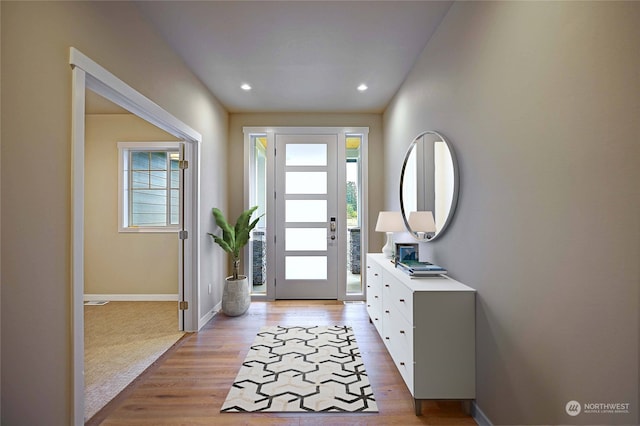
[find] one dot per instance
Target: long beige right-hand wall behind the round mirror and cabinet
(541, 103)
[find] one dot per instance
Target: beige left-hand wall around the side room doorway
(36, 159)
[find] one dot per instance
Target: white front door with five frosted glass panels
(306, 217)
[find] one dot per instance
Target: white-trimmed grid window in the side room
(149, 186)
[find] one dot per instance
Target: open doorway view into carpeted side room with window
(131, 246)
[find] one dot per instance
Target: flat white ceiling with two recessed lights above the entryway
(305, 56)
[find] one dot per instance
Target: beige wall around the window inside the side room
(117, 262)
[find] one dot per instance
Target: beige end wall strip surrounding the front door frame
(373, 121)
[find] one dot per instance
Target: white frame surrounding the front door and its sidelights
(342, 133)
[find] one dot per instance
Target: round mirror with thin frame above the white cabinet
(428, 186)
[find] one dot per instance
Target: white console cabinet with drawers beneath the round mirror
(428, 327)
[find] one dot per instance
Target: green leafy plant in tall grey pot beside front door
(236, 296)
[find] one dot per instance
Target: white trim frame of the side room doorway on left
(88, 74)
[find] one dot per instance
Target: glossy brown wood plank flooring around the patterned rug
(190, 383)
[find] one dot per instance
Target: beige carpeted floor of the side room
(122, 339)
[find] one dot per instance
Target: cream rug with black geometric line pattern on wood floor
(302, 369)
